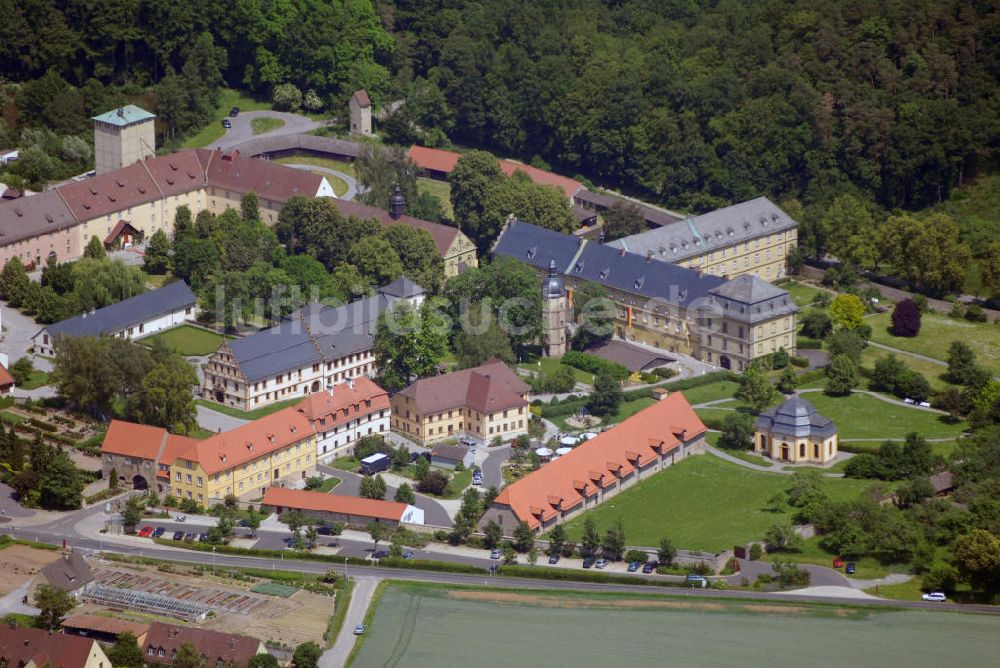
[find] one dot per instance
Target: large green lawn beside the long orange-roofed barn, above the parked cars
(701, 503)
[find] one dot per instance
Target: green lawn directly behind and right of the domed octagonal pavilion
(864, 416)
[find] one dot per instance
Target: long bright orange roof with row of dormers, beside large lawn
(594, 464)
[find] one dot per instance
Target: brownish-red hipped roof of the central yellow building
(488, 388)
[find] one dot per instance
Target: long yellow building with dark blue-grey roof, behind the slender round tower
(724, 322)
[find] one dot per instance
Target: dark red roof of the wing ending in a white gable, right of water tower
(241, 174)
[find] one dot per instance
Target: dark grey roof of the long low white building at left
(116, 317)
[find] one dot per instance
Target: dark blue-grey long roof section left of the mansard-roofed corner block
(579, 258)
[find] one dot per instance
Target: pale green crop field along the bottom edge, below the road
(420, 625)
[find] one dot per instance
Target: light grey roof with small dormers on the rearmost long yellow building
(715, 229)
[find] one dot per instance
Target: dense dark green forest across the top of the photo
(692, 103)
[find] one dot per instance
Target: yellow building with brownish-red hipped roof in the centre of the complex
(483, 403)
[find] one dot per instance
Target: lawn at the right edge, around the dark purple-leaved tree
(936, 334)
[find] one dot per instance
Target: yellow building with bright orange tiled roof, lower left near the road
(279, 449)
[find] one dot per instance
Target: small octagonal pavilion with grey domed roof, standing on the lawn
(796, 432)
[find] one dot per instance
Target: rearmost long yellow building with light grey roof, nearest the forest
(752, 237)
